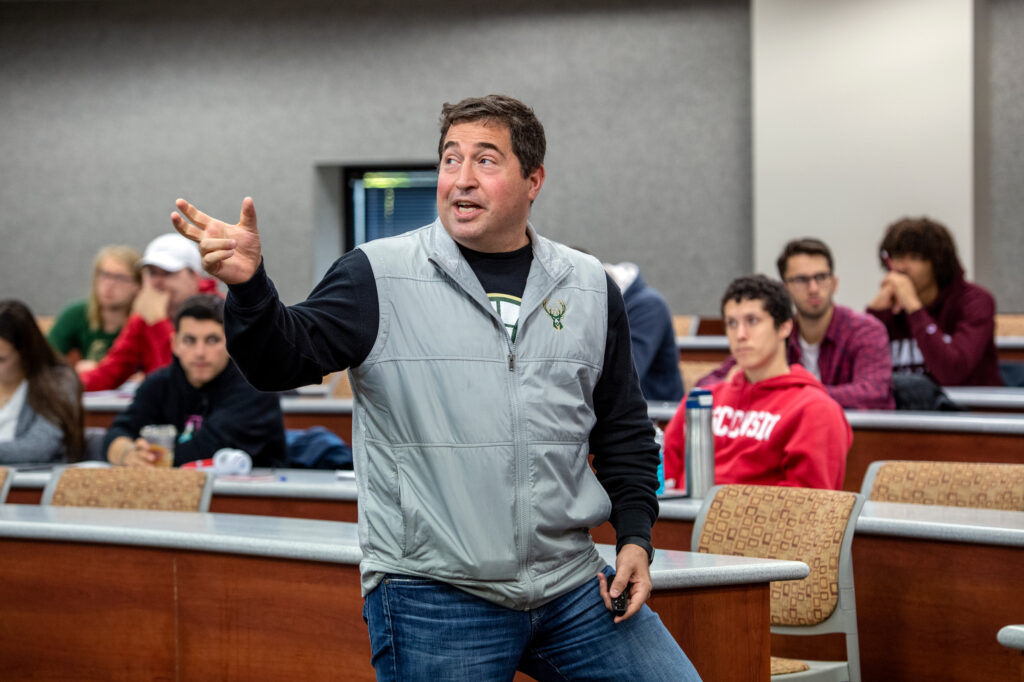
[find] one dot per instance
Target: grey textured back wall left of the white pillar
(111, 111)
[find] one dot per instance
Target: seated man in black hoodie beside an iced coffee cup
(204, 396)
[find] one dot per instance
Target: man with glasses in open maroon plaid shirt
(847, 352)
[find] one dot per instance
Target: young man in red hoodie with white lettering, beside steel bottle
(774, 423)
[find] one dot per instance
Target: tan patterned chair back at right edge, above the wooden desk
(949, 484)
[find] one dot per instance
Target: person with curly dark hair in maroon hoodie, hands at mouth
(940, 324)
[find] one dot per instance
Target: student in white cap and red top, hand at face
(172, 273)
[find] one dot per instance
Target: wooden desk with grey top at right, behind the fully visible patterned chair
(934, 585)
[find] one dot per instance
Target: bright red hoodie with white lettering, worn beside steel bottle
(781, 432)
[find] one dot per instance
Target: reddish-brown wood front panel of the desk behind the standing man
(79, 611)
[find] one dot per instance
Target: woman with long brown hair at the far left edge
(40, 399)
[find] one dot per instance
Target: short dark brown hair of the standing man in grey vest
(526, 131)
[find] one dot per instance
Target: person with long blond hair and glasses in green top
(89, 328)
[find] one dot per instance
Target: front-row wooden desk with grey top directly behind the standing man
(119, 595)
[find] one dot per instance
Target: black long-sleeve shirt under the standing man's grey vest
(280, 348)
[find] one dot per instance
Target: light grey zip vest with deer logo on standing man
(473, 451)
